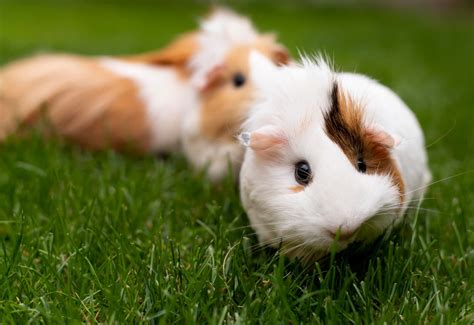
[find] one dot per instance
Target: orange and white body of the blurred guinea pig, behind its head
(96, 102)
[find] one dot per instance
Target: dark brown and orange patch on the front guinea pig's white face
(345, 126)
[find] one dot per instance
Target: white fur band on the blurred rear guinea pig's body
(166, 97)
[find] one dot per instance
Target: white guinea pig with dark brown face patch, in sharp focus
(331, 158)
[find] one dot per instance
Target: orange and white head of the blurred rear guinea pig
(221, 74)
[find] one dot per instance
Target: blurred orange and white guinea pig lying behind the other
(191, 95)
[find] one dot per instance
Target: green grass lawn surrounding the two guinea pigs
(101, 237)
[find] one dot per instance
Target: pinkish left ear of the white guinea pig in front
(268, 141)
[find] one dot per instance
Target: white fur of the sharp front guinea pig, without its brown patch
(339, 196)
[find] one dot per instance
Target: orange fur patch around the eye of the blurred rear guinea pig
(224, 106)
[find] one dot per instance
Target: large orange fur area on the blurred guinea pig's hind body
(77, 99)
